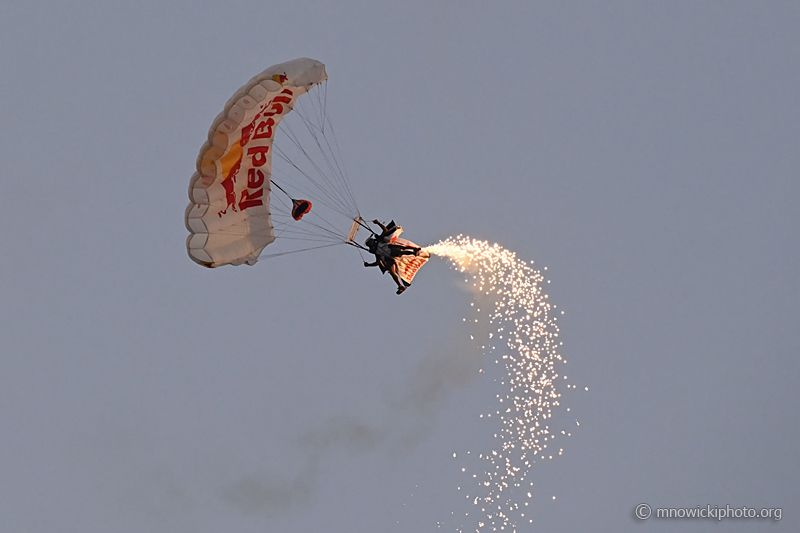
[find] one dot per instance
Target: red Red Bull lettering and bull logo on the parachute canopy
(259, 131)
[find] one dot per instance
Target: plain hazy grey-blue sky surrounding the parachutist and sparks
(644, 153)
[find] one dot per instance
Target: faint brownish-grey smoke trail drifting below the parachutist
(409, 416)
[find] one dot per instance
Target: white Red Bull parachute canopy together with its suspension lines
(234, 212)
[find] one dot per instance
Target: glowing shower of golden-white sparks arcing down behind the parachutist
(523, 337)
